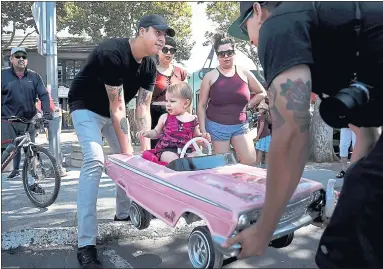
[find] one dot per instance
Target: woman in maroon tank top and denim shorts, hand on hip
(224, 97)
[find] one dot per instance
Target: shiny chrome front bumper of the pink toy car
(281, 231)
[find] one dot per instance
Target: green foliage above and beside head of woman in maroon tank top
(222, 14)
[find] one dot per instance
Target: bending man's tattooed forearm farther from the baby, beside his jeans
(117, 112)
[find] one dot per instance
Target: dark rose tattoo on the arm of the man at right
(297, 94)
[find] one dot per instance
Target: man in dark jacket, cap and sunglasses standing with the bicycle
(20, 88)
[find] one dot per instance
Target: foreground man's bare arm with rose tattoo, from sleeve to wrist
(289, 97)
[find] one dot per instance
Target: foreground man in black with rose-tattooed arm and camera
(321, 47)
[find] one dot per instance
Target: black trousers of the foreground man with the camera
(354, 236)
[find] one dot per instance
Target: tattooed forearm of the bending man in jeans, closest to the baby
(143, 117)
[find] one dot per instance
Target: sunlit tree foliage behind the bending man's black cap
(119, 19)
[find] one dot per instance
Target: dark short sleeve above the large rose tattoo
(284, 42)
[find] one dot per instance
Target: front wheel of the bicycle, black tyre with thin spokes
(41, 175)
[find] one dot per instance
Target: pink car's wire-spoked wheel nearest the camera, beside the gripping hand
(201, 250)
